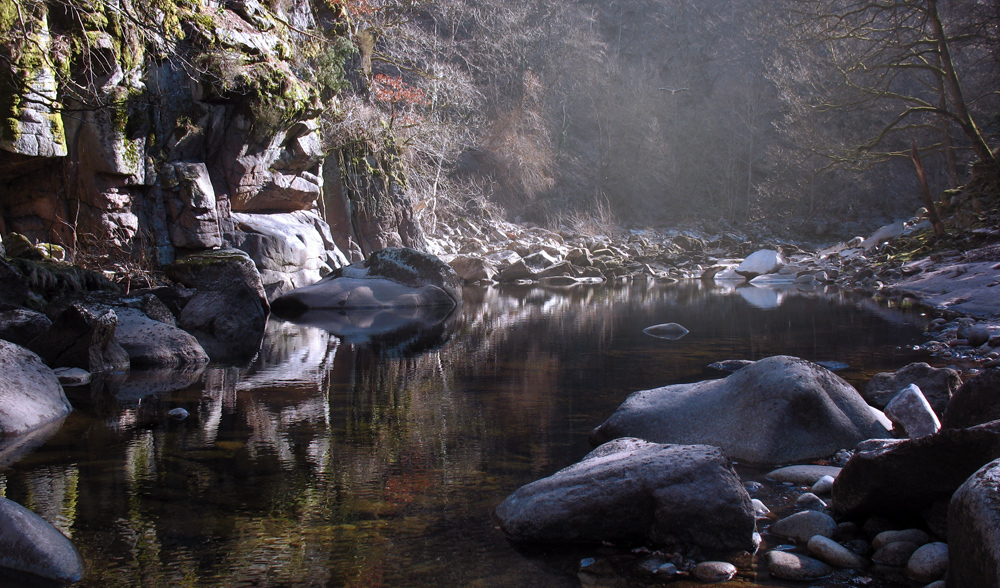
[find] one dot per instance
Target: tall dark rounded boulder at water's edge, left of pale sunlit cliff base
(229, 312)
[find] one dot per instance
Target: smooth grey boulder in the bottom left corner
(31, 545)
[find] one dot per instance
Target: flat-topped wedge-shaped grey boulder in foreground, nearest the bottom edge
(635, 492)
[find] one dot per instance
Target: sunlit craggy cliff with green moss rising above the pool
(136, 132)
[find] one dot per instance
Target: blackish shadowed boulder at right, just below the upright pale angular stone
(904, 477)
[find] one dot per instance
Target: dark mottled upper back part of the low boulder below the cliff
(413, 268)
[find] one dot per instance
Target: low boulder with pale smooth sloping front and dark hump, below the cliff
(390, 278)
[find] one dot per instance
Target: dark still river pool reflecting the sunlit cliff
(345, 461)
